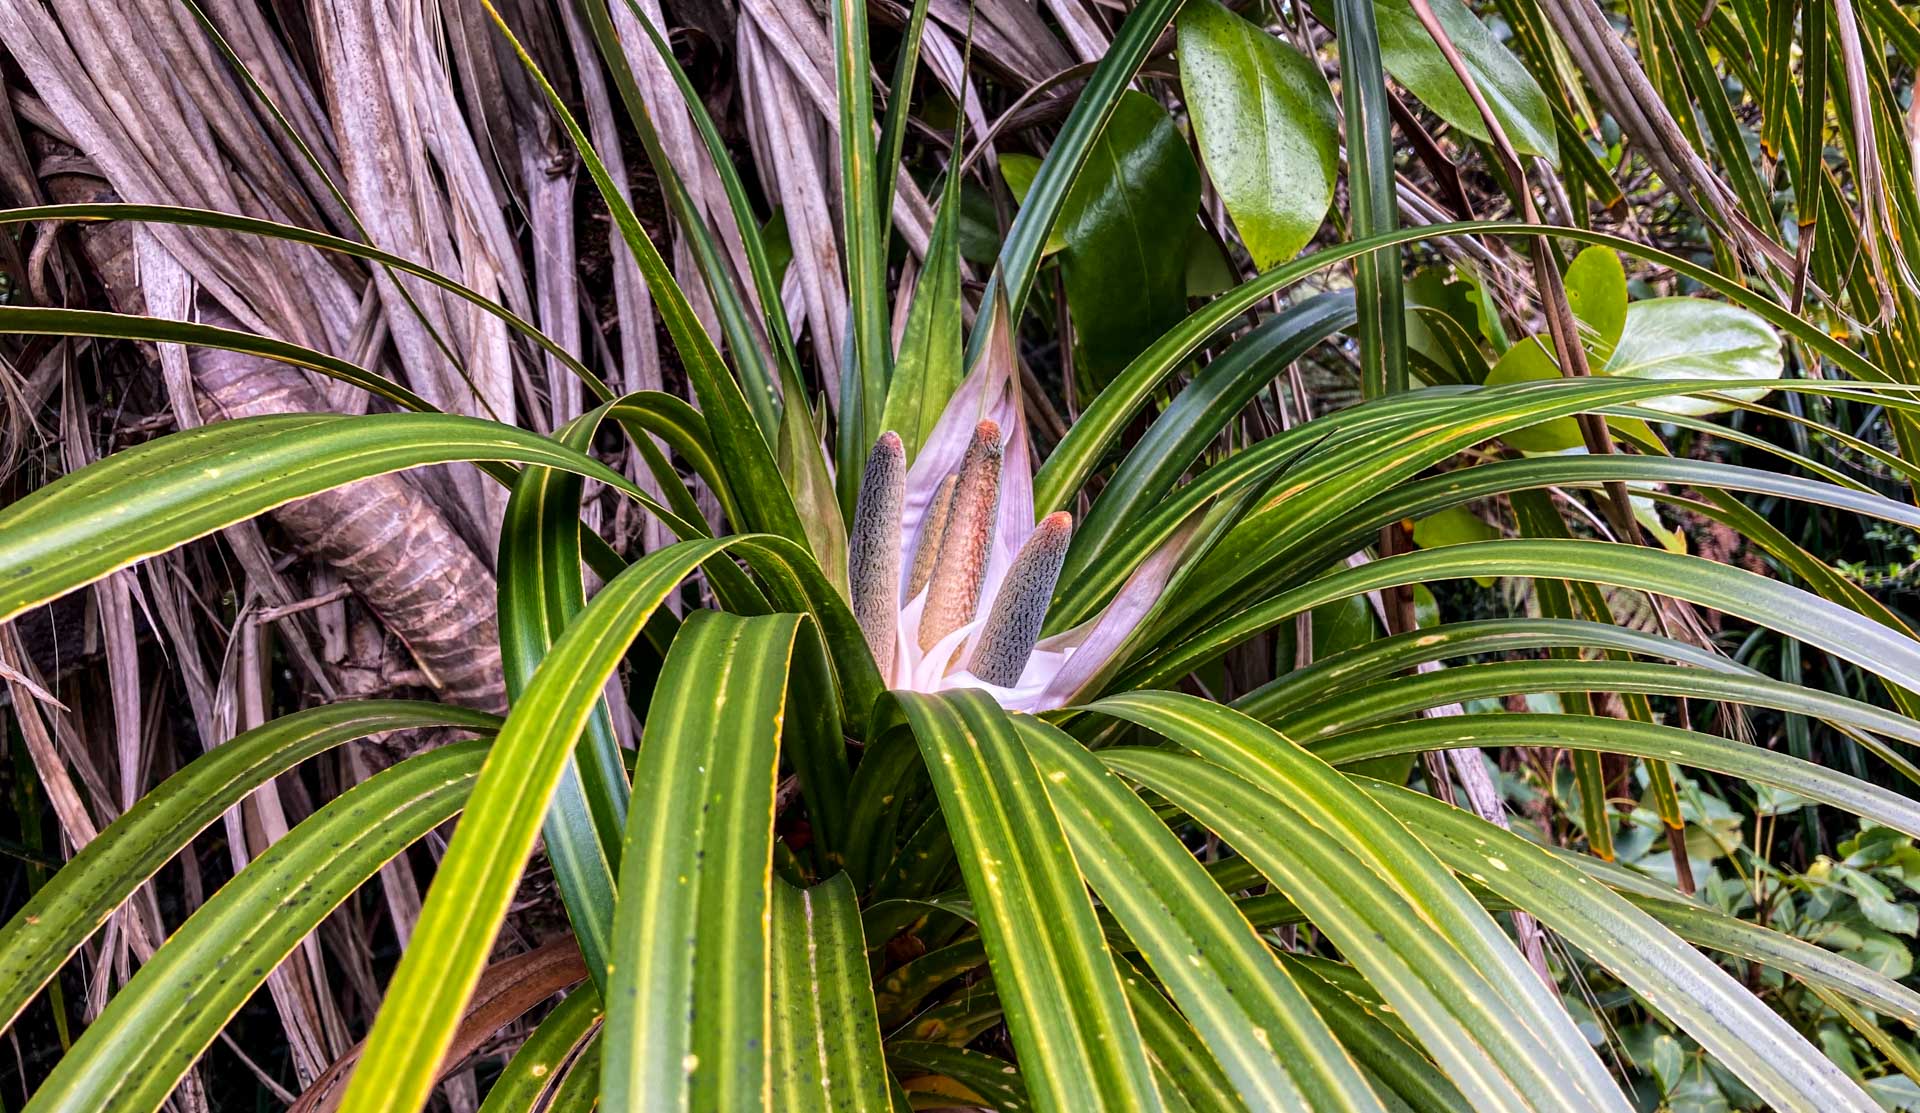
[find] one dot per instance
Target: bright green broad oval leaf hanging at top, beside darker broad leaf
(1266, 124)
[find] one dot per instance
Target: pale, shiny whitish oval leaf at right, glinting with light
(1696, 339)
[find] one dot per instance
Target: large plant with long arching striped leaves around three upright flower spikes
(949, 790)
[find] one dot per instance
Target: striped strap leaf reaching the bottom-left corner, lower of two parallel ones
(153, 1031)
